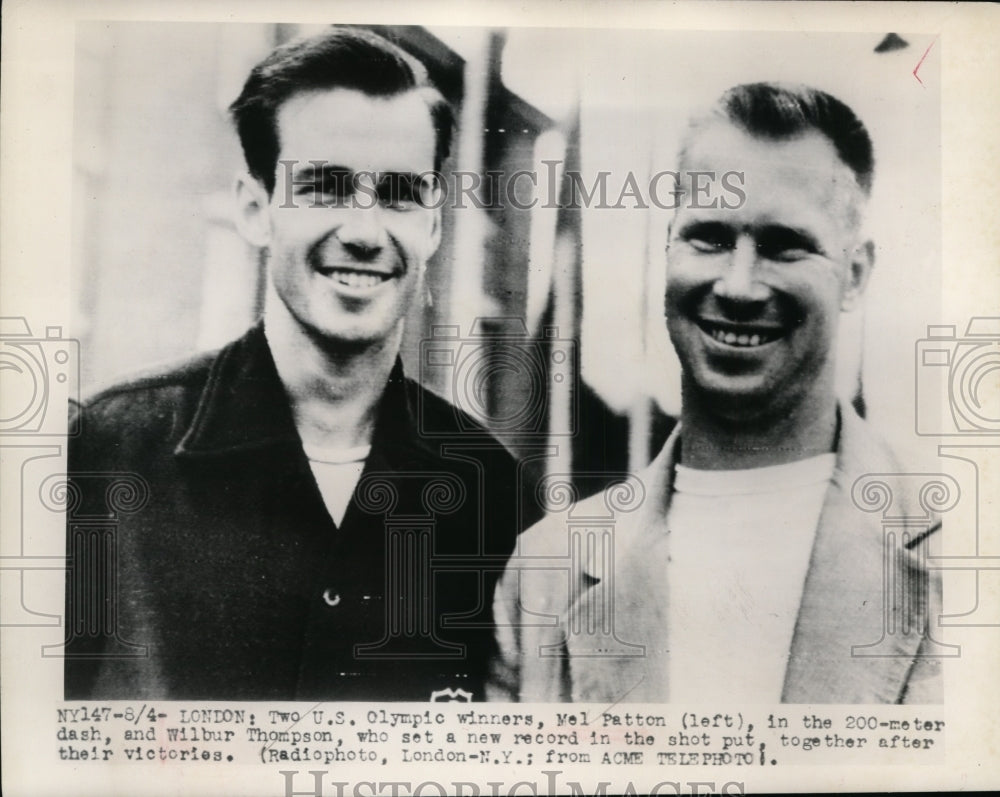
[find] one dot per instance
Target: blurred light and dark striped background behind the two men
(554, 313)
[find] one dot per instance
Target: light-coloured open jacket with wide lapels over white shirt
(582, 609)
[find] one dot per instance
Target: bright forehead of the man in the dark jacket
(353, 129)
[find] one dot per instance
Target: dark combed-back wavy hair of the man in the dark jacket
(349, 58)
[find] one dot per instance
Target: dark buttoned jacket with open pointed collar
(204, 564)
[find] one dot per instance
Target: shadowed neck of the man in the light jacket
(735, 441)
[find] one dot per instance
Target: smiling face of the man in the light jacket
(754, 293)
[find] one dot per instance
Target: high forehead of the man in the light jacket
(799, 180)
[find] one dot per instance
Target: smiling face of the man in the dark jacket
(347, 266)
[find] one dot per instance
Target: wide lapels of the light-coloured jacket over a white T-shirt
(841, 608)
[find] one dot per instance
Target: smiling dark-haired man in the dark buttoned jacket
(268, 522)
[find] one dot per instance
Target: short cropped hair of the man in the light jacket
(782, 111)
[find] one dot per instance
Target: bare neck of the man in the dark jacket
(334, 389)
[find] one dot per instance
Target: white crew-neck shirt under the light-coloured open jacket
(739, 547)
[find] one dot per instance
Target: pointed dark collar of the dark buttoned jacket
(243, 407)
